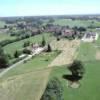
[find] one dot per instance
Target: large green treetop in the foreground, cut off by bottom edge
(54, 90)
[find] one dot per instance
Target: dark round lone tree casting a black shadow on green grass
(76, 68)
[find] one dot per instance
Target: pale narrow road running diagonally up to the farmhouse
(39, 50)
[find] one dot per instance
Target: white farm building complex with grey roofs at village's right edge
(90, 37)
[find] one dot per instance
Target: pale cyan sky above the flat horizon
(48, 7)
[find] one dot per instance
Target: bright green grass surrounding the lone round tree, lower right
(89, 89)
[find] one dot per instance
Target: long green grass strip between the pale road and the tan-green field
(38, 62)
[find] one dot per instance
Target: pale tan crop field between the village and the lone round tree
(69, 51)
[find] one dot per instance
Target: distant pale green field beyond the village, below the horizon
(72, 23)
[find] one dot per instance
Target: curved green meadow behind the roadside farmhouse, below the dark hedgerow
(11, 48)
